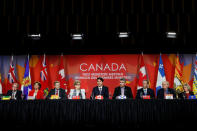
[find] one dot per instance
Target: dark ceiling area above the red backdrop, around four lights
(147, 21)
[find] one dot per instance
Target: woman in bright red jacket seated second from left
(36, 92)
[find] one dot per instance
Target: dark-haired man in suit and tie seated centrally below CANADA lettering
(100, 90)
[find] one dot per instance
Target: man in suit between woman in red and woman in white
(57, 91)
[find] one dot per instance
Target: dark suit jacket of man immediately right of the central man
(127, 92)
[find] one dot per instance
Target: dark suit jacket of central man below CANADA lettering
(104, 92)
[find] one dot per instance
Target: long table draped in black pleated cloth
(96, 113)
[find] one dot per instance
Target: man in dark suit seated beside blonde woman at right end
(165, 91)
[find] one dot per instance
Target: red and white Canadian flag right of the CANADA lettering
(142, 74)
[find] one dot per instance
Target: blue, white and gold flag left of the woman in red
(26, 84)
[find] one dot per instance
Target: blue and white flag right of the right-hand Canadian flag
(160, 75)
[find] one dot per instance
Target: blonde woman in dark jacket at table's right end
(186, 92)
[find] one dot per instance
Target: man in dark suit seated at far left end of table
(15, 94)
